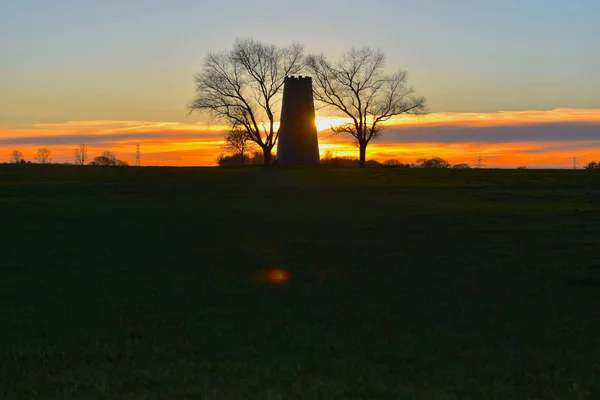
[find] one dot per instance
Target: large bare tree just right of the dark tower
(357, 86)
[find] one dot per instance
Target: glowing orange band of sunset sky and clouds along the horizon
(504, 139)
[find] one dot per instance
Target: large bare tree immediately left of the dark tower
(242, 87)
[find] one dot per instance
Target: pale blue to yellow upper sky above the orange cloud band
(134, 59)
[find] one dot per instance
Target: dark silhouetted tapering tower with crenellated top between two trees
(298, 143)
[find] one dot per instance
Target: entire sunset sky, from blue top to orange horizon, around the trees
(114, 73)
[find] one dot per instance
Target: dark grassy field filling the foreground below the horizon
(138, 283)
